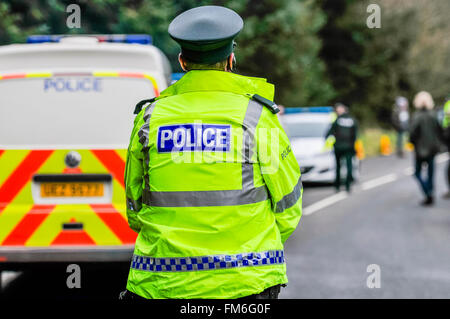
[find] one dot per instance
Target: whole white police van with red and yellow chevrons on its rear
(66, 115)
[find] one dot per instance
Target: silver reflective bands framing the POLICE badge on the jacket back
(249, 194)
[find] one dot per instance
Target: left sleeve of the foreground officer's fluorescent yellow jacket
(134, 175)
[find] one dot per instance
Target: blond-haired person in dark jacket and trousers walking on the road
(425, 134)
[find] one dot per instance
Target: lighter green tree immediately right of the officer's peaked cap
(280, 42)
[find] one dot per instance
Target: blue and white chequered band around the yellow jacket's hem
(212, 262)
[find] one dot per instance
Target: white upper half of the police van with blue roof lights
(92, 79)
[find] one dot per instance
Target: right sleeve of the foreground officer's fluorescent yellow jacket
(281, 173)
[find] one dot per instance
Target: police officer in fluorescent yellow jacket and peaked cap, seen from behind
(212, 186)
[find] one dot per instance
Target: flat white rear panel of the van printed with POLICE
(69, 112)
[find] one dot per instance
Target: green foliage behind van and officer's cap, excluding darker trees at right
(279, 40)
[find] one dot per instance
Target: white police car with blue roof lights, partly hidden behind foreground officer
(306, 128)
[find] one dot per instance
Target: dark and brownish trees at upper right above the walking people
(370, 67)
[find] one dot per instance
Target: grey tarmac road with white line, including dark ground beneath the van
(380, 223)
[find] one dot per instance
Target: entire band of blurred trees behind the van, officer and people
(315, 52)
